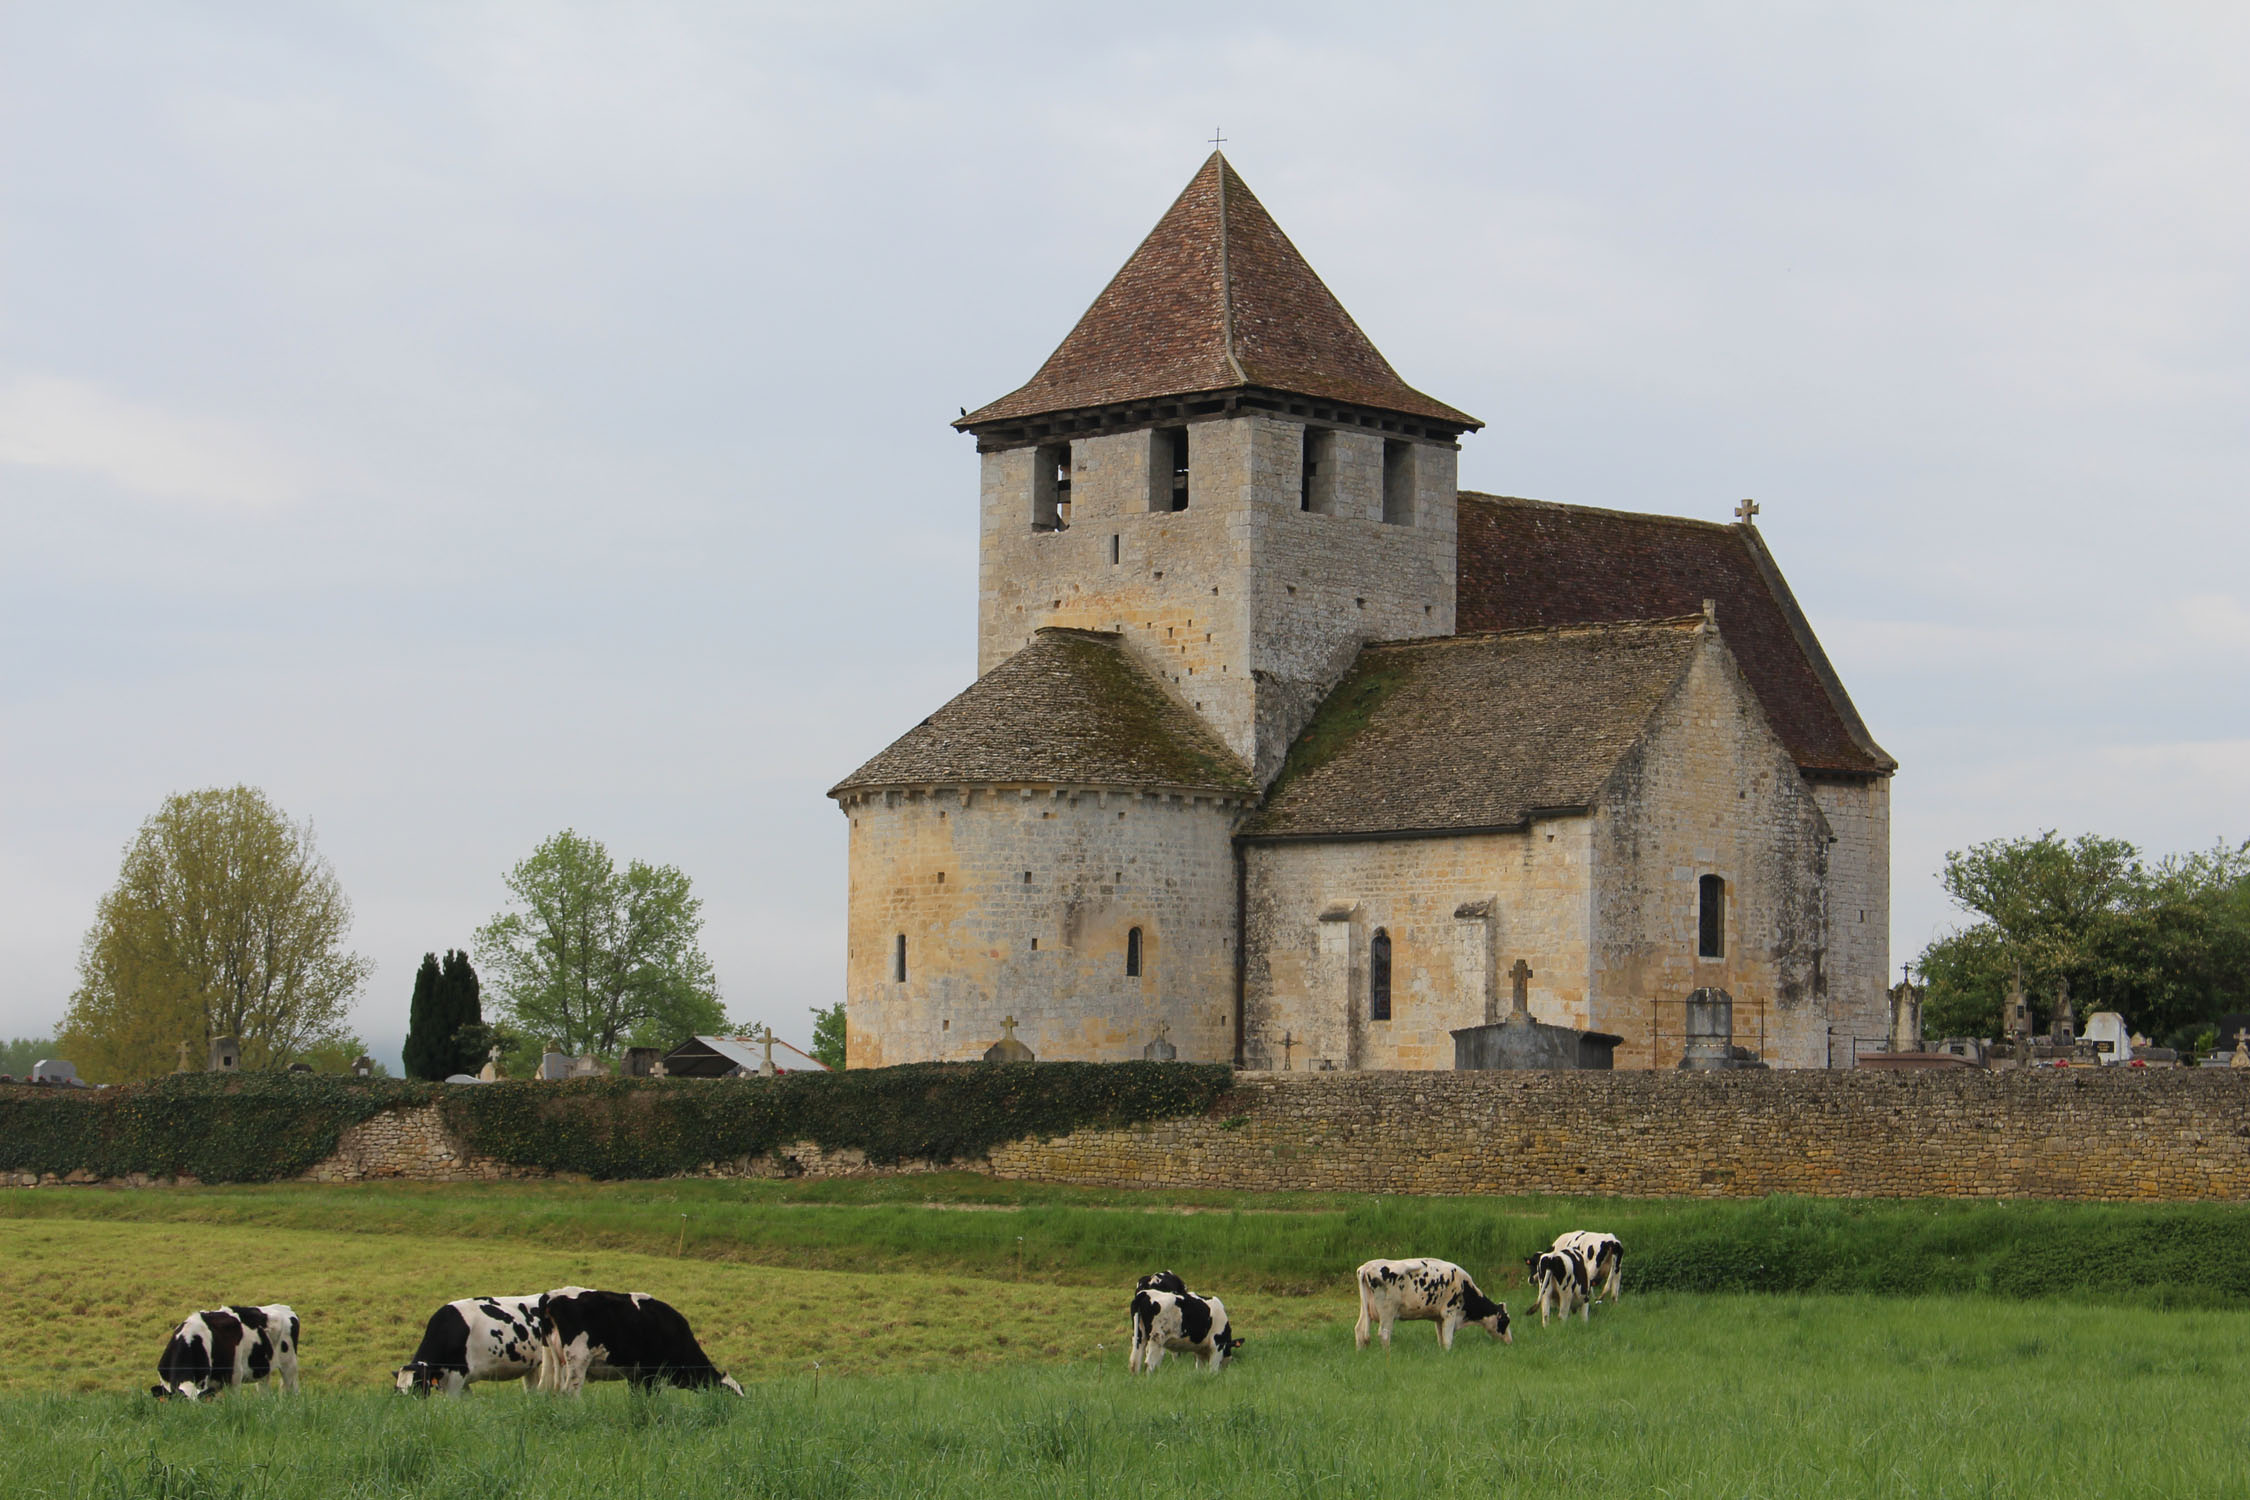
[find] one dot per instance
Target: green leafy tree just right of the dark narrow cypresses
(600, 957)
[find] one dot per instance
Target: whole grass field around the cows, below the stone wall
(892, 1377)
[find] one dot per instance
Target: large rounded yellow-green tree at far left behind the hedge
(224, 923)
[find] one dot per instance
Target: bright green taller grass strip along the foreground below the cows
(1666, 1395)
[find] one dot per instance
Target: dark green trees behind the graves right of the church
(2166, 946)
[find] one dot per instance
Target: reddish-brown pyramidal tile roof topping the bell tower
(1214, 300)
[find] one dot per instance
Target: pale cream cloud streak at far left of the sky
(48, 422)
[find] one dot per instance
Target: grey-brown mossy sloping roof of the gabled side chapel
(1475, 732)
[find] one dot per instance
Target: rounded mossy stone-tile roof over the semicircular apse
(1072, 710)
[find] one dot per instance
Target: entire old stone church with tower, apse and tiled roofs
(1288, 752)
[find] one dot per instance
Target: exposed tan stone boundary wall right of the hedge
(1956, 1135)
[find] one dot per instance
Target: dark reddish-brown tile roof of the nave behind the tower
(1536, 563)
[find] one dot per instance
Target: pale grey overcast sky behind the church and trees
(467, 422)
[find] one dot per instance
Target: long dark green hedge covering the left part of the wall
(251, 1128)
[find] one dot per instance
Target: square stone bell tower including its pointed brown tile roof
(1225, 471)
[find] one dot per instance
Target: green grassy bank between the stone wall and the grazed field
(1286, 1245)
